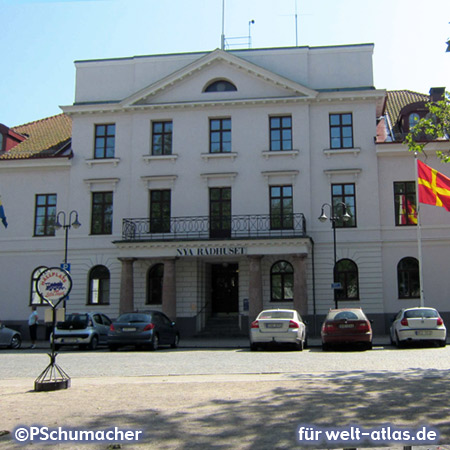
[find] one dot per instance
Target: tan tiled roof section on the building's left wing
(45, 138)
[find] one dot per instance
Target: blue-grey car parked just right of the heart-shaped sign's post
(85, 329)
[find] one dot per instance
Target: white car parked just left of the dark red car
(278, 326)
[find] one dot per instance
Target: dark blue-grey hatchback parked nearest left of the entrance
(143, 329)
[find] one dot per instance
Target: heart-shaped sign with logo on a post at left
(54, 285)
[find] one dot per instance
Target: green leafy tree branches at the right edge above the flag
(435, 126)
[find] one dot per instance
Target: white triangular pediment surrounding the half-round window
(188, 84)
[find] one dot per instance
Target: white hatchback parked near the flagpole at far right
(418, 324)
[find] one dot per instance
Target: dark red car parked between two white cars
(346, 326)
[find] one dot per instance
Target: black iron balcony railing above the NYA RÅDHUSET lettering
(206, 228)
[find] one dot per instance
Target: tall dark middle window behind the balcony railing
(220, 212)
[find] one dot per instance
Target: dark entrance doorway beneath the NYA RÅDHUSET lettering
(224, 288)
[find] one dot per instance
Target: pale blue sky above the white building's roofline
(40, 39)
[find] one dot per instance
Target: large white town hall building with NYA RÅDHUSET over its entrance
(198, 180)
